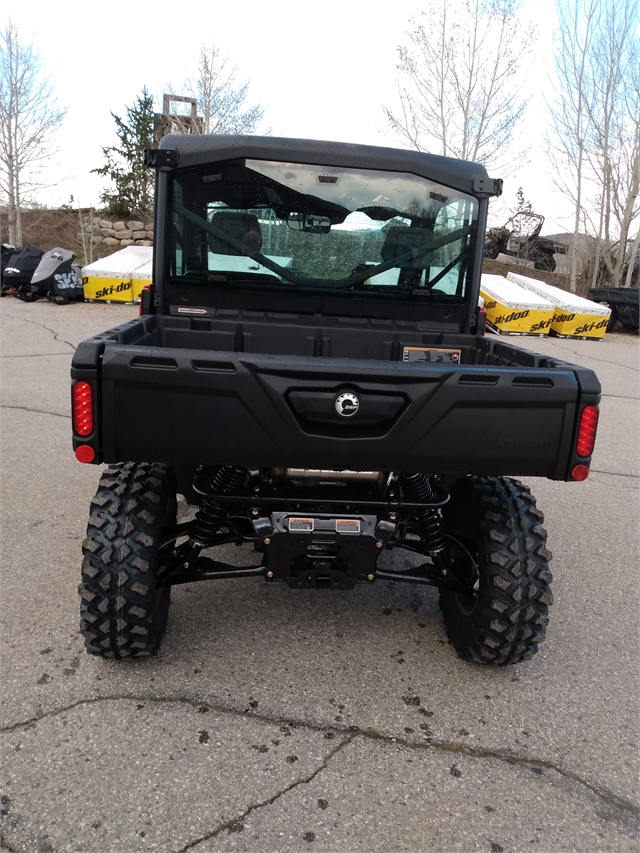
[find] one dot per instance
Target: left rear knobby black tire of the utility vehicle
(123, 611)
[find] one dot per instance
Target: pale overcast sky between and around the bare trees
(321, 70)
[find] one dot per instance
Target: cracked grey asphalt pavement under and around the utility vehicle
(280, 720)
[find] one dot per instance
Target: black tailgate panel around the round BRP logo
(190, 406)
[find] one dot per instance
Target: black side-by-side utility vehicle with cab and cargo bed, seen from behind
(309, 372)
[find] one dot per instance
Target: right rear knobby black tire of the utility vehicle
(497, 520)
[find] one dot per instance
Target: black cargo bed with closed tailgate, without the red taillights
(176, 389)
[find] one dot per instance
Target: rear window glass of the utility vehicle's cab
(264, 224)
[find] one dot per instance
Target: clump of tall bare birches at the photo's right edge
(595, 140)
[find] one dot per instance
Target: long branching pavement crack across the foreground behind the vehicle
(350, 733)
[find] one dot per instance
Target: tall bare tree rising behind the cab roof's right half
(459, 79)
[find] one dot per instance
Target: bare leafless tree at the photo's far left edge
(29, 116)
